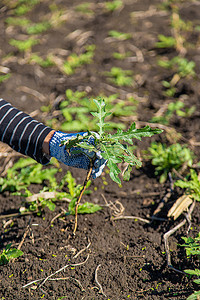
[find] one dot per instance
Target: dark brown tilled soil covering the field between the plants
(125, 258)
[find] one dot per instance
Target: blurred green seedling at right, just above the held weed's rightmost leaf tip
(174, 108)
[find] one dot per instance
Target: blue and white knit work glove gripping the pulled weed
(79, 160)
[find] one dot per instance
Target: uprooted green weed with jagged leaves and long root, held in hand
(115, 148)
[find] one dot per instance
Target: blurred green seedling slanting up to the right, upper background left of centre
(74, 61)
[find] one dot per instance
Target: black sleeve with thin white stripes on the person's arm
(22, 133)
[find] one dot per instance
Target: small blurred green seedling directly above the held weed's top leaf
(120, 77)
